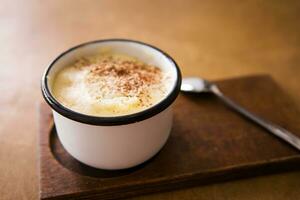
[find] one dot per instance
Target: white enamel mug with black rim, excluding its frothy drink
(114, 142)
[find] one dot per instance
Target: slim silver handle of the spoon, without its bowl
(271, 127)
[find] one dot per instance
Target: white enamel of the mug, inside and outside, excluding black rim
(114, 146)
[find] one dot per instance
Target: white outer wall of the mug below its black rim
(114, 147)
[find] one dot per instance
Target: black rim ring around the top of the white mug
(115, 120)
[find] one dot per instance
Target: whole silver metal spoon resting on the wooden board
(198, 85)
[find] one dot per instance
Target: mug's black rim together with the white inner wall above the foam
(141, 51)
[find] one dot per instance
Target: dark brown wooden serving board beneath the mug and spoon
(209, 143)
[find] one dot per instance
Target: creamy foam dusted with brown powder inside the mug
(110, 85)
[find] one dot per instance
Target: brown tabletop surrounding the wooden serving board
(212, 39)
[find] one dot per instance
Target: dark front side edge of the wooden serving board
(189, 180)
